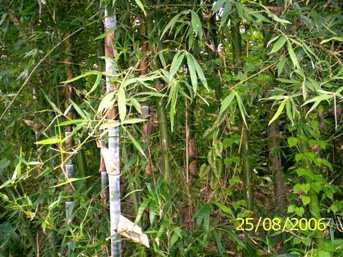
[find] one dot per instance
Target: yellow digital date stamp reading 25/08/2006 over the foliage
(287, 224)
